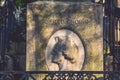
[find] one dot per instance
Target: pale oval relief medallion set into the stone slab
(65, 51)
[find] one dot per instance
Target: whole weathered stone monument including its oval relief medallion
(63, 36)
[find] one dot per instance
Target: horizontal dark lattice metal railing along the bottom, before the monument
(59, 75)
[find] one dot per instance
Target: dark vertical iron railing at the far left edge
(6, 28)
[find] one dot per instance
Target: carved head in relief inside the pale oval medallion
(64, 52)
